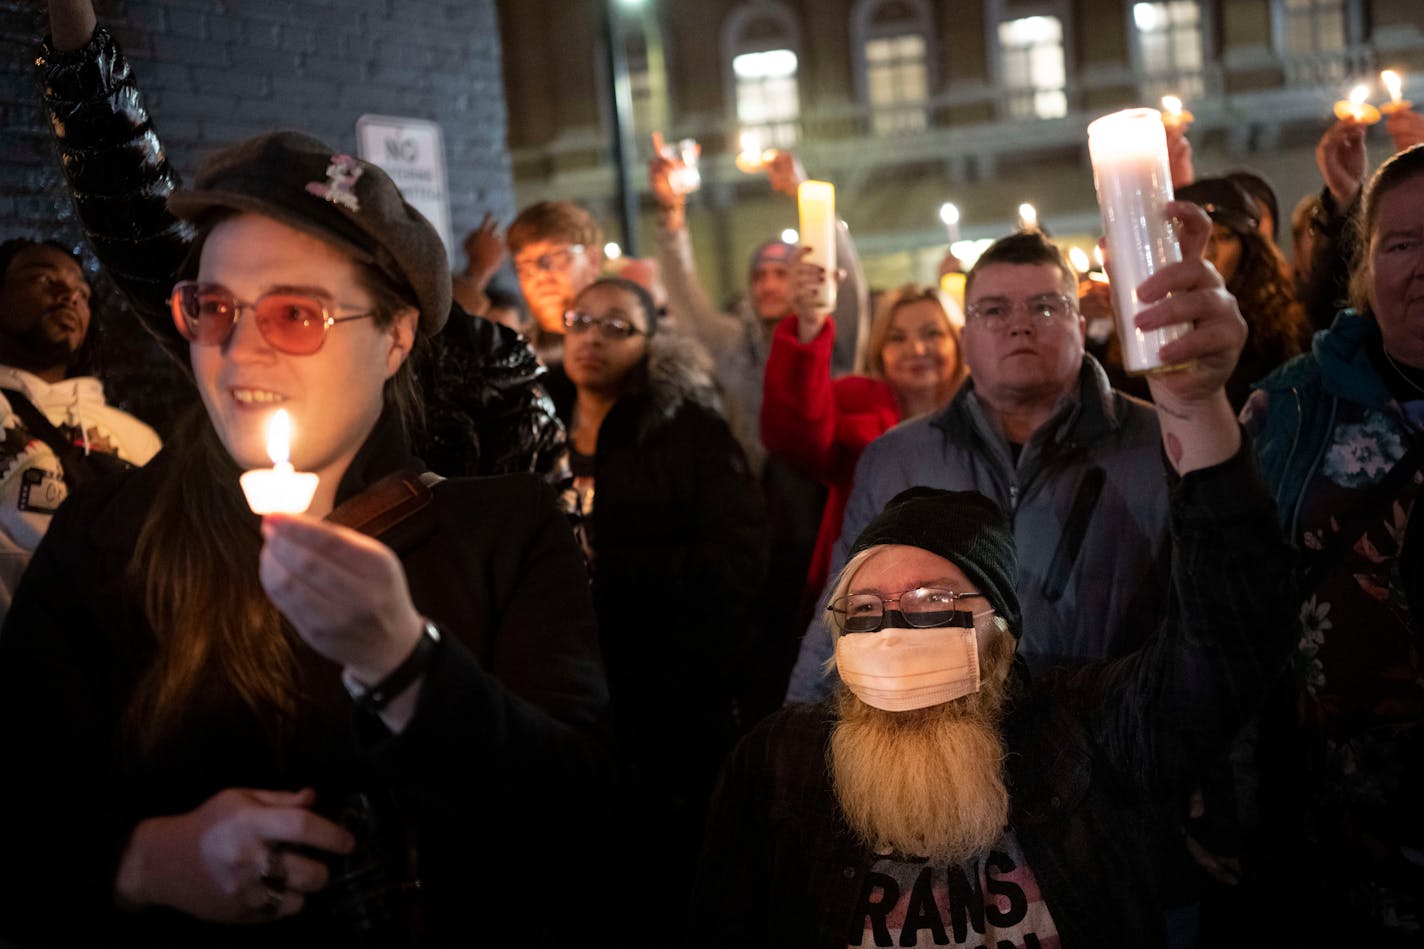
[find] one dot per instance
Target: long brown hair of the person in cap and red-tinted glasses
(197, 565)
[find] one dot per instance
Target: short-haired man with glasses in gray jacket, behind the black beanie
(1039, 430)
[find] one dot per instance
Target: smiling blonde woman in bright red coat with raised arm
(822, 425)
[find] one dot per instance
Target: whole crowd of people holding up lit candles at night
(1047, 605)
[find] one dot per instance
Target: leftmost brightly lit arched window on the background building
(761, 48)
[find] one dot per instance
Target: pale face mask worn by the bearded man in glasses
(902, 670)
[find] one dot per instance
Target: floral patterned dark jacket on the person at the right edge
(1328, 431)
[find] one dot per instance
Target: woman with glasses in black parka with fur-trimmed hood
(676, 536)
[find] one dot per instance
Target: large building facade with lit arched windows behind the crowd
(908, 105)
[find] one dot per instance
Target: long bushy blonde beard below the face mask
(926, 783)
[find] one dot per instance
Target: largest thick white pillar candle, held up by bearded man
(1130, 169)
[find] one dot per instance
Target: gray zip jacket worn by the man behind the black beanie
(1090, 511)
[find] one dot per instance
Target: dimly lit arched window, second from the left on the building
(891, 41)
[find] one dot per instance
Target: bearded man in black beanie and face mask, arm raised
(945, 796)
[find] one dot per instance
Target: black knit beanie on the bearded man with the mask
(966, 529)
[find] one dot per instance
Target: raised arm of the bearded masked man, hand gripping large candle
(1161, 713)
